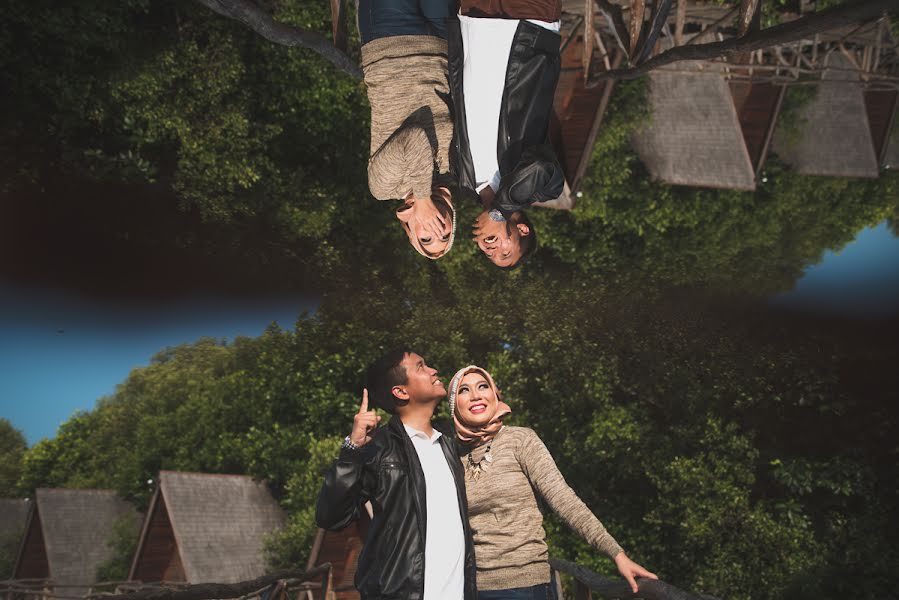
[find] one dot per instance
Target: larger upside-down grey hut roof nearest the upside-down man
(694, 136)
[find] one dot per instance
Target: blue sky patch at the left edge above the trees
(60, 352)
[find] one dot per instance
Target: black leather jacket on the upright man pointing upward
(387, 472)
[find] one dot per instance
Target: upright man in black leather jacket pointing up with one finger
(389, 467)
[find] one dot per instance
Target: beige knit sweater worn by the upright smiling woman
(507, 526)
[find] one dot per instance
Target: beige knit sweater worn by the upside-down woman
(411, 128)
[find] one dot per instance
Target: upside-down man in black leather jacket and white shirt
(527, 166)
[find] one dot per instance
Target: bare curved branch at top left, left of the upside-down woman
(248, 13)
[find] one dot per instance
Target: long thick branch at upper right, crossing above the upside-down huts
(784, 33)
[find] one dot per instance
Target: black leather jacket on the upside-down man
(527, 163)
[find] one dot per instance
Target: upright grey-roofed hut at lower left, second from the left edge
(67, 535)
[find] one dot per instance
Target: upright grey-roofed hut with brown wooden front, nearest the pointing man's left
(203, 528)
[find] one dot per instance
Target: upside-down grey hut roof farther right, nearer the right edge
(836, 139)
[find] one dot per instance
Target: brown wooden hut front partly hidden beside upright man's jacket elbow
(341, 549)
